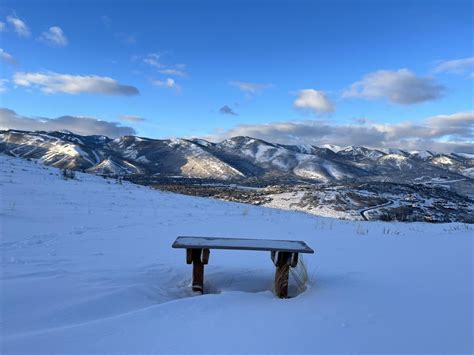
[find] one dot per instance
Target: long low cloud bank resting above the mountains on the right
(439, 133)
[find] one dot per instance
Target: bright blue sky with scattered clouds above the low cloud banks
(213, 68)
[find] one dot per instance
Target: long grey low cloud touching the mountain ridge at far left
(9, 119)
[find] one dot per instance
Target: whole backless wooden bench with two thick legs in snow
(284, 254)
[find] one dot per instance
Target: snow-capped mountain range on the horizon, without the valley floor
(237, 158)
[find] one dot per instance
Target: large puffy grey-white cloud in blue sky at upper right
(400, 87)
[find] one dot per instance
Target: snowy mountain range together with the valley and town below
(345, 182)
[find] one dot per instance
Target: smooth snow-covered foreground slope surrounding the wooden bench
(87, 267)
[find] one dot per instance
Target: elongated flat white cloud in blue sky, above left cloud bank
(52, 83)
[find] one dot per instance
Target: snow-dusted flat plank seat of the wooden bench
(294, 246)
